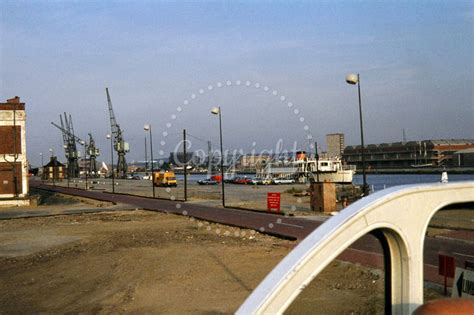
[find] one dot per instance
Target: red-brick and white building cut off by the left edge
(13, 164)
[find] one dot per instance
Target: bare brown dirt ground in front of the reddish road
(147, 262)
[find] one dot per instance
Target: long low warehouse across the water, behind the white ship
(426, 153)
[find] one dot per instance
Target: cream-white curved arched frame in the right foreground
(400, 214)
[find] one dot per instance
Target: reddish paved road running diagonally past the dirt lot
(366, 250)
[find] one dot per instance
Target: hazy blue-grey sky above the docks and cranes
(276, 68)
